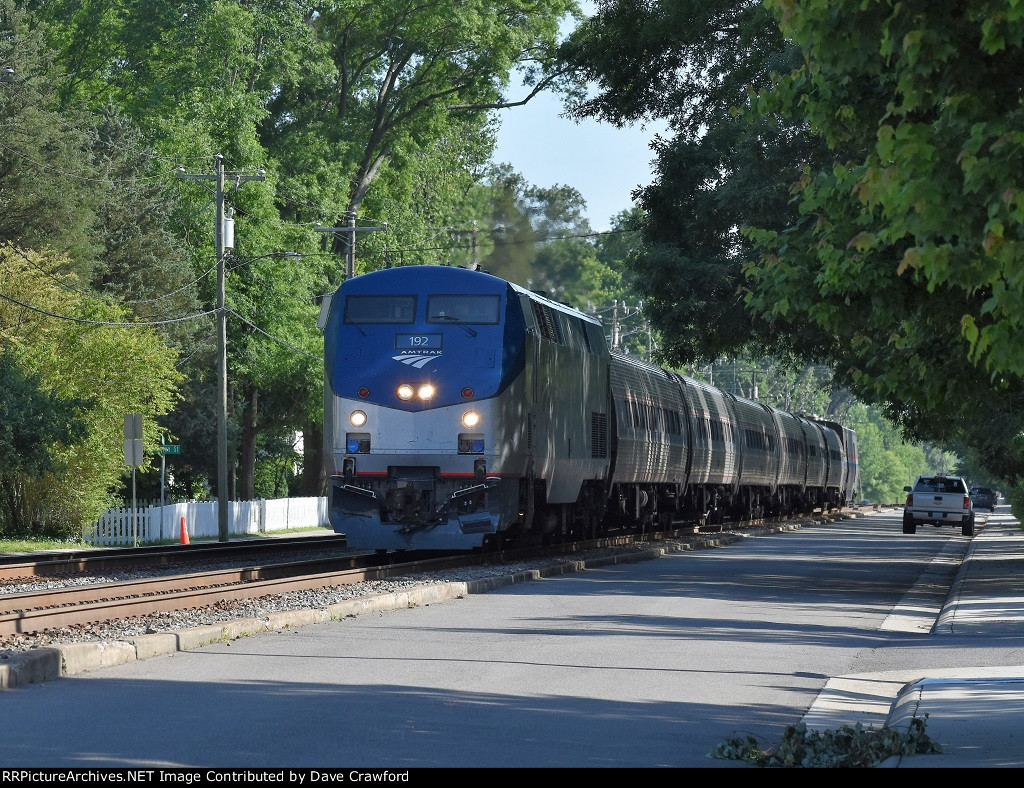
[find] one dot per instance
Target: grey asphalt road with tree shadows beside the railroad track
(634, 666)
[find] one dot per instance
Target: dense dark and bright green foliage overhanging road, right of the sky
(841, 190)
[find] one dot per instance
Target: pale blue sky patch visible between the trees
(603, 163)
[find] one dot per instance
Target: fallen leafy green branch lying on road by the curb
(848, 748)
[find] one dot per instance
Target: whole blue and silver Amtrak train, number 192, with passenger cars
(463, 411)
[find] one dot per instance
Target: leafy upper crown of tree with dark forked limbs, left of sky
(403, 76)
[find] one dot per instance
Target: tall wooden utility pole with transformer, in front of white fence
(219, 235)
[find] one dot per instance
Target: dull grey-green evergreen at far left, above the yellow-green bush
(80, 181)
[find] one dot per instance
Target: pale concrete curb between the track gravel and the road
(47, 665)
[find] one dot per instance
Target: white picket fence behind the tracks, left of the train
(153, 523)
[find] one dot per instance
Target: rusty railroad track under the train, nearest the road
(37, 611)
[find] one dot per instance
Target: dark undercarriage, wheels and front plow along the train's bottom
(417, 506)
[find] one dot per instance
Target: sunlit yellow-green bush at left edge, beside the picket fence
(58, 335)
